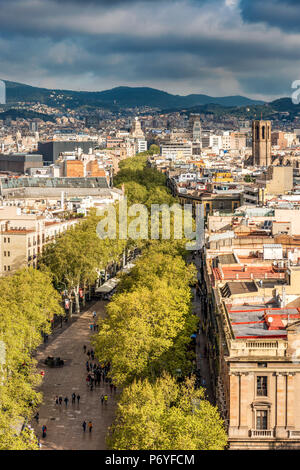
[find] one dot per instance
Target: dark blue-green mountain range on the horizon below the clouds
(117, 98)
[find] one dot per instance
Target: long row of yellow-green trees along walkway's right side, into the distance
(146, 338)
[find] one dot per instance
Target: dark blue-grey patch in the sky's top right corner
(284, 14)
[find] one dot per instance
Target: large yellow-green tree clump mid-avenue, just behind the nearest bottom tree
(149, 322)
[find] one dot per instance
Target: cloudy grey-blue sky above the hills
(215, 47)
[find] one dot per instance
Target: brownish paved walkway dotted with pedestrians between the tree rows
(64, 424)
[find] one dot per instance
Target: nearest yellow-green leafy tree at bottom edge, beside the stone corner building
(166, 416)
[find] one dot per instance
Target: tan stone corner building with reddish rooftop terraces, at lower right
(254, 340)
